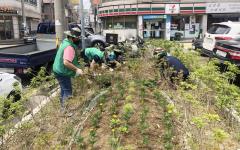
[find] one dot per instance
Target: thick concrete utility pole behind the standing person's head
(59, 20)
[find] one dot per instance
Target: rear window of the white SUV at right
(219, 29)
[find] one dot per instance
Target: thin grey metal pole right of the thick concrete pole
(81, 14)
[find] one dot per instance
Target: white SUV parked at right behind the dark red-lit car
(219, 31)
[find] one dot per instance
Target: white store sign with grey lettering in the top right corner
(223, 8)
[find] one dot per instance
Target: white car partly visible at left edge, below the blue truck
(7, 85)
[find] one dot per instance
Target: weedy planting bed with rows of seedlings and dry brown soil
(136, 113)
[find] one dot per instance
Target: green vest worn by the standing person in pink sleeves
(58, 67)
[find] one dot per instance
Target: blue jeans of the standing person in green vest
(66, 88)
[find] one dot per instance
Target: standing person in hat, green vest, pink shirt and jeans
(66, 64)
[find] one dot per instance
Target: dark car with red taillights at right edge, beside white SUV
(228, 51)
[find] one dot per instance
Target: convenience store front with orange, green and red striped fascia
(154, 20)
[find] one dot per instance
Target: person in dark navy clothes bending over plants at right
(178, 68)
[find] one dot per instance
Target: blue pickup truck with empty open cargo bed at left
(28, 55)
